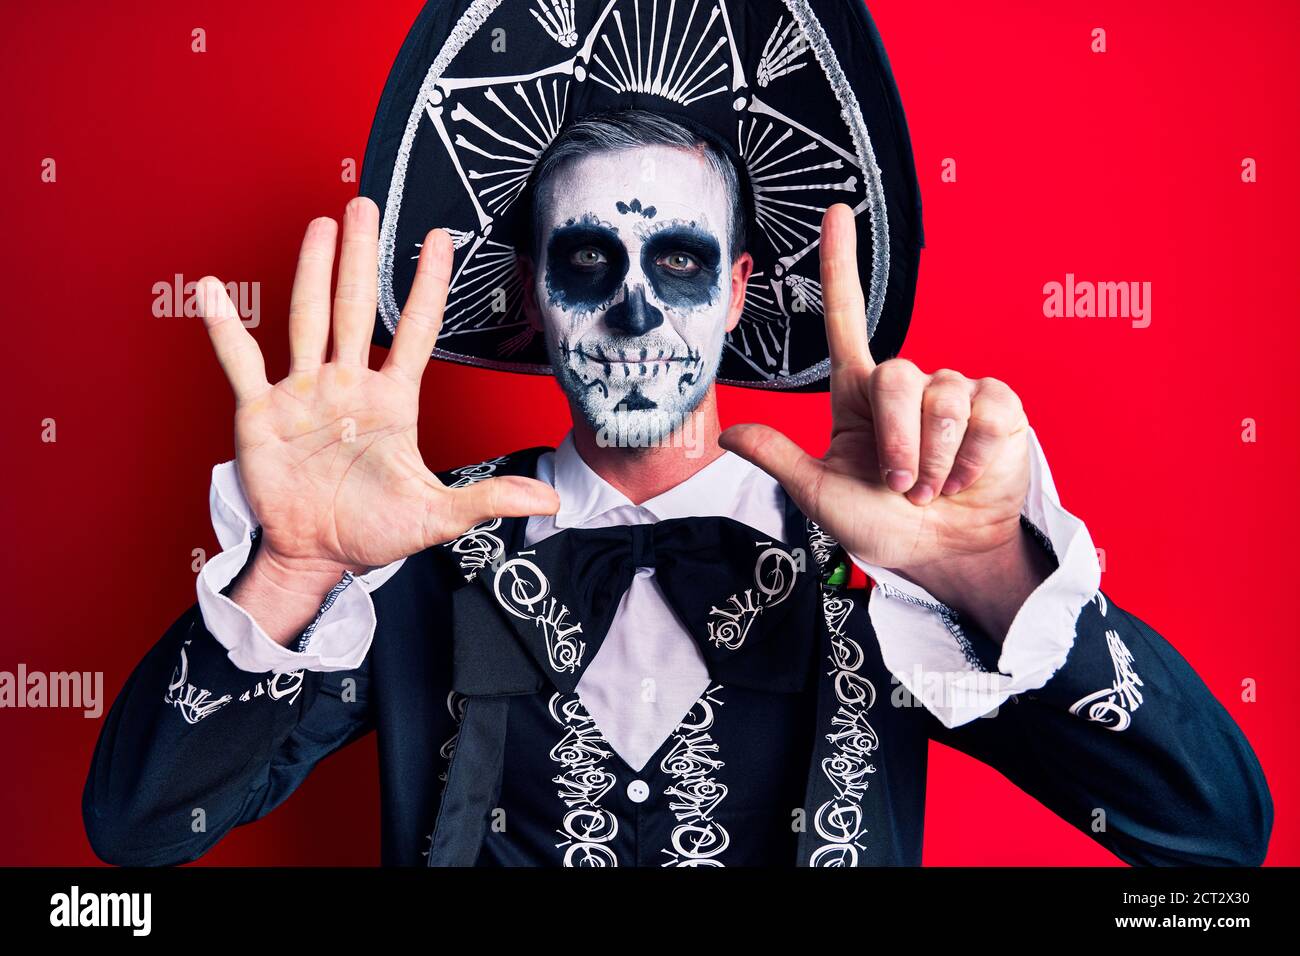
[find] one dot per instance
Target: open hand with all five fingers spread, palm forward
(328, 457)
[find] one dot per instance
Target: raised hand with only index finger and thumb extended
(925, 474)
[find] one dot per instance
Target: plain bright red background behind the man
(1117, 167)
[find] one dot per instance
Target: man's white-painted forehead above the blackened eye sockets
(649, 183)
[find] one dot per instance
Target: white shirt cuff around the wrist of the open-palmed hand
(340, 637)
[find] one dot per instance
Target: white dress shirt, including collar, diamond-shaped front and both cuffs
(649, 672)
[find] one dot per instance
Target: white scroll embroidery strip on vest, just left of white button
(588, 829)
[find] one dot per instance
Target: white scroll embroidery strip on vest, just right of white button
(695, 795)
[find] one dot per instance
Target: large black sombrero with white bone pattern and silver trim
(801, 90)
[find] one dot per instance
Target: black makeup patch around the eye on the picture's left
(586, 265)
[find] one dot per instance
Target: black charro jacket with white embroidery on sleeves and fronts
(1160, 777)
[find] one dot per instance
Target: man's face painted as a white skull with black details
(634, 283)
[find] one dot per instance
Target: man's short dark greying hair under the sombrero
(632, 129)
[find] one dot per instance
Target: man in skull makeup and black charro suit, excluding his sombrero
(647, 654)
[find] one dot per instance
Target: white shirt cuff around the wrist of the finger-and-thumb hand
(922, 642)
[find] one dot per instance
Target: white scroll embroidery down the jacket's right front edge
(840, 821)
